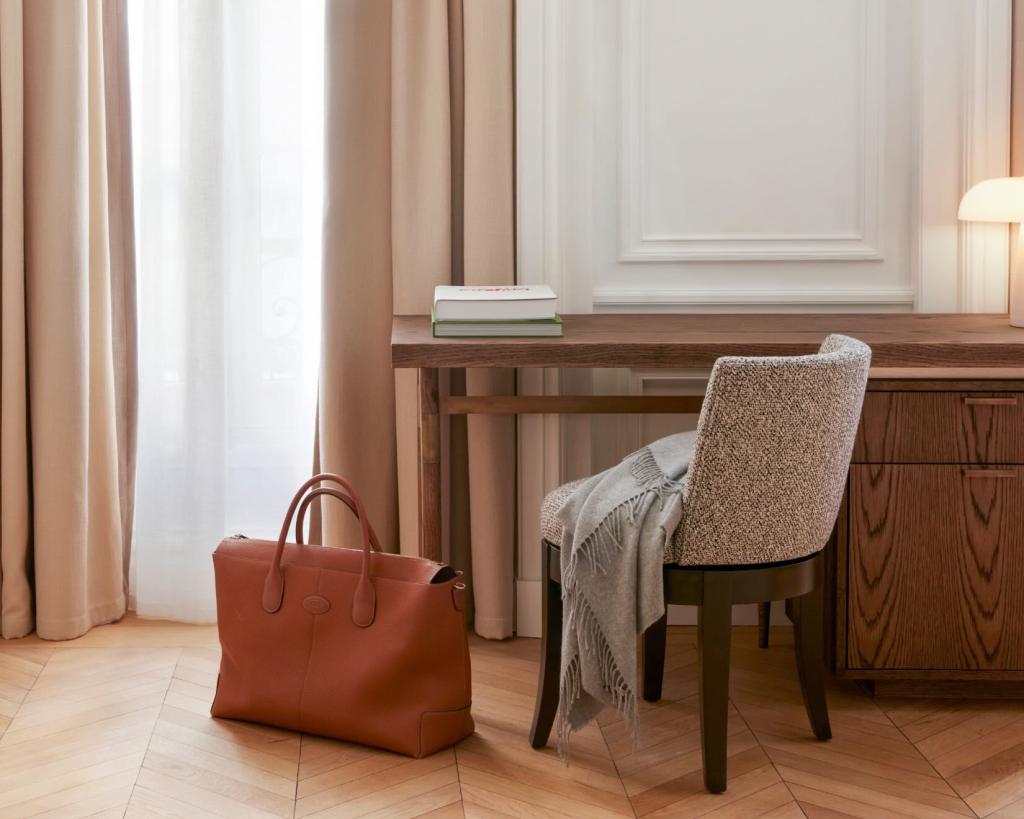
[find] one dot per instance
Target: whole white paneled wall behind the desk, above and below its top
(743, 156)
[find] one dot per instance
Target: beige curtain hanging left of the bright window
(68, 317)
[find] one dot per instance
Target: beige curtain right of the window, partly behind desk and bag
(419, 193)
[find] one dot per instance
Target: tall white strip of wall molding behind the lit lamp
(963, 137)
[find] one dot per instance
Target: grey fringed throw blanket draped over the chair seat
(616, 527)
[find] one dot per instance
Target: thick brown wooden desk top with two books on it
(898, 340)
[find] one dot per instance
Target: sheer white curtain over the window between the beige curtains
(228, 109)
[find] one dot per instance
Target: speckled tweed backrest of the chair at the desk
(774, 449)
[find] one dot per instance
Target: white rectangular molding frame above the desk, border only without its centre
(638, 245)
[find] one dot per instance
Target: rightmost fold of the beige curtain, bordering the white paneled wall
(489, 253)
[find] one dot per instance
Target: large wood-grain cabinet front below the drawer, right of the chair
(936, 565)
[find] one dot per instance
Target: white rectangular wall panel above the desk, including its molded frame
(737, 146)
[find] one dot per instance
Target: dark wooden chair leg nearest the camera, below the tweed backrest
(714, 638)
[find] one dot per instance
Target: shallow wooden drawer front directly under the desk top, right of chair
(942, 428)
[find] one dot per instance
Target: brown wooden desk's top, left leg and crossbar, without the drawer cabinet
(962, 343)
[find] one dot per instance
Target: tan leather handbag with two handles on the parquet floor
(349, 643)
